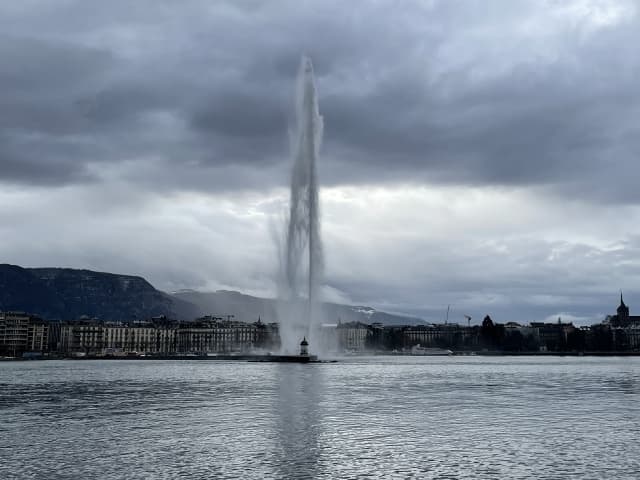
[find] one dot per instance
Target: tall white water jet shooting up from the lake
(303, 260)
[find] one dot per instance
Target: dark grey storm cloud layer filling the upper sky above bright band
(427, 91)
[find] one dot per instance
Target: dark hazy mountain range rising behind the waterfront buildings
(65, 293)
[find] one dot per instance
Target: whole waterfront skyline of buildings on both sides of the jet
(21, 333)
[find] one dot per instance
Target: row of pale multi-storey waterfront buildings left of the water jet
(21, 334)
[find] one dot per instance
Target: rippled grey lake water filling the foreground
(377, 417)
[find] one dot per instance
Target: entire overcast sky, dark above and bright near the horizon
(483, 154)
